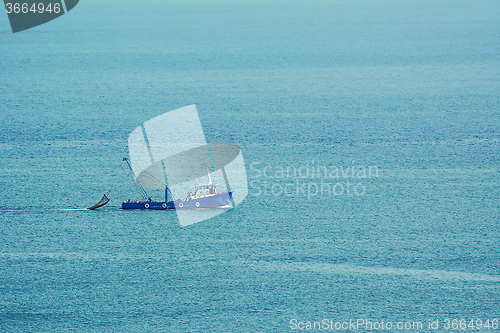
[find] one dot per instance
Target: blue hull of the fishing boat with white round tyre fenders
(221, 200)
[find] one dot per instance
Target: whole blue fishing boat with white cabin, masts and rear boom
(203, 196)
